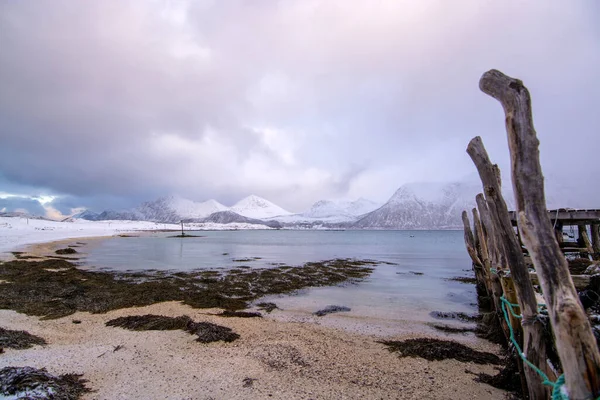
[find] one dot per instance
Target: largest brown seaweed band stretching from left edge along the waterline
(55, 288)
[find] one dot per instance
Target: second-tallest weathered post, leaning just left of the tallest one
(533, 335)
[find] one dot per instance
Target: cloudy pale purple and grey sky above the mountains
(105, 104)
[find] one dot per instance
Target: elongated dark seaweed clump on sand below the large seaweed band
(205, 331)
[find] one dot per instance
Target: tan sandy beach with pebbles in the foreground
(280, 355)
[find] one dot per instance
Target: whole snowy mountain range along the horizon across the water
(412, 206)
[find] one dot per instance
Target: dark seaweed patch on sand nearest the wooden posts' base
(435, 350)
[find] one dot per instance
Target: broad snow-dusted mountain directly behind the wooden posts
(425, 206)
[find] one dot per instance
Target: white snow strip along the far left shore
(16, 232)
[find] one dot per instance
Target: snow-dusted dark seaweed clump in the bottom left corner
(28, 383)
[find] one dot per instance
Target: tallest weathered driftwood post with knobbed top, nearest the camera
(575, 341)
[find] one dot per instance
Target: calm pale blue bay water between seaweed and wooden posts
(393, 298)
